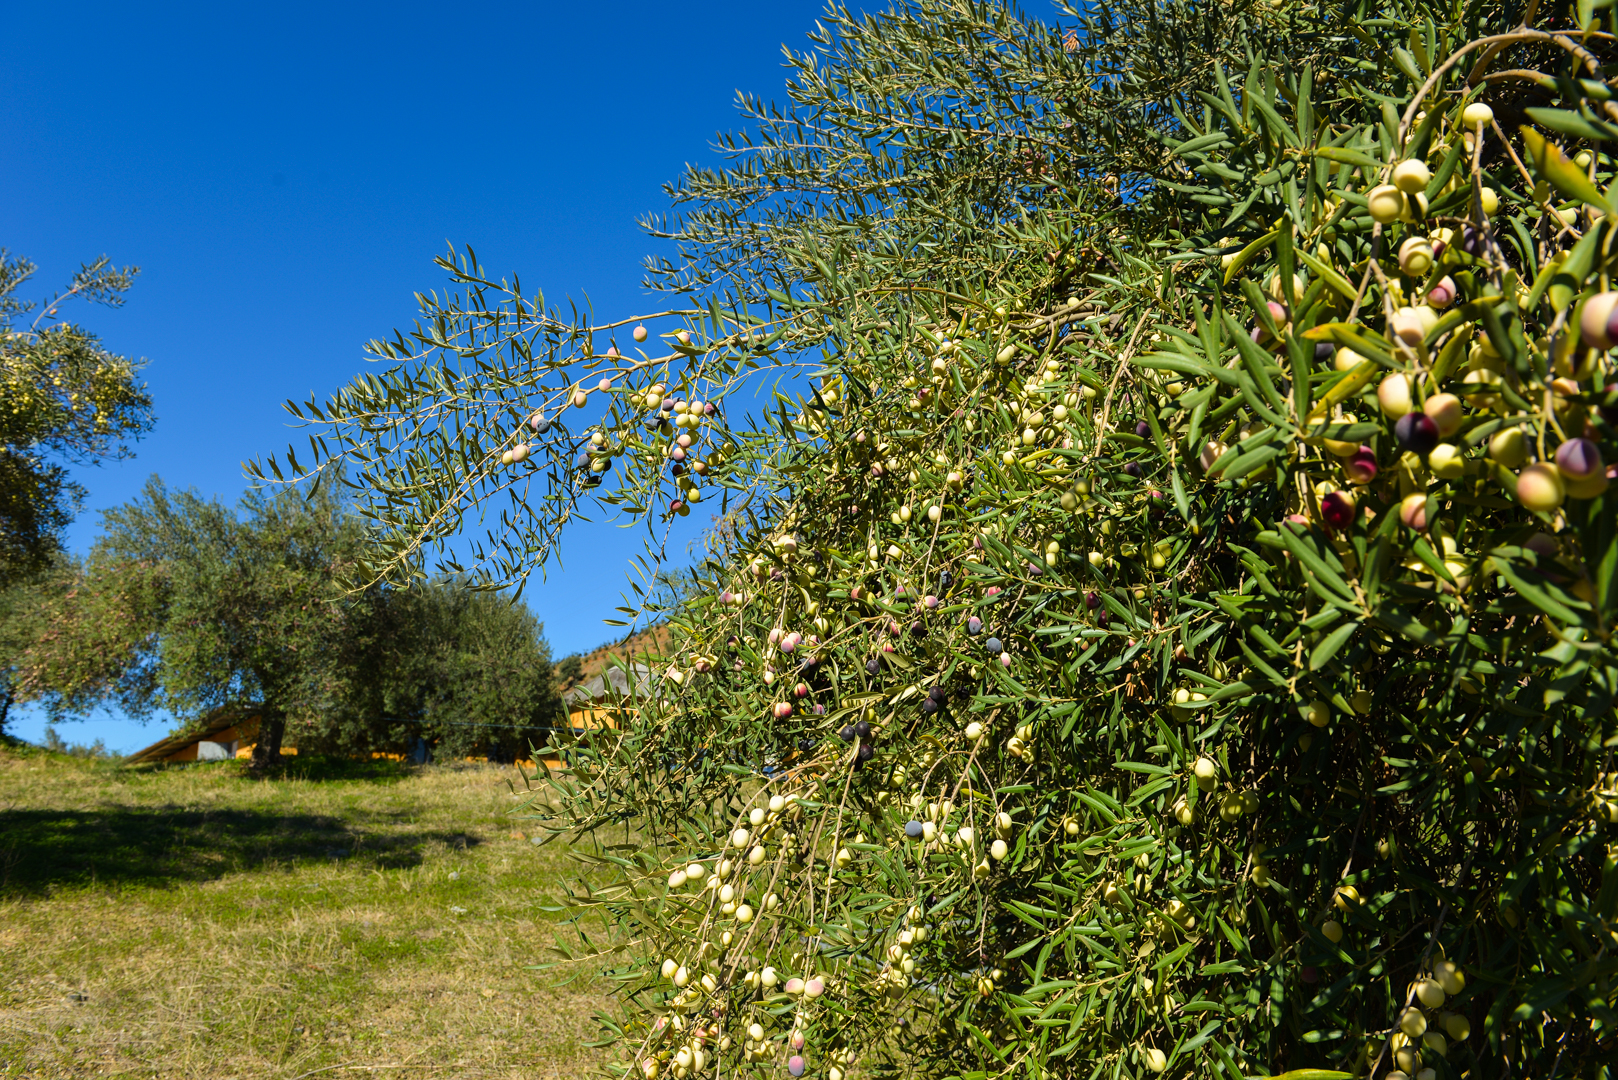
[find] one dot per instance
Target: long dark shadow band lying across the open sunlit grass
(43, 851)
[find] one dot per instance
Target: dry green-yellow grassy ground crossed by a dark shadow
(192, 922)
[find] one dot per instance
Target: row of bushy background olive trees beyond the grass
(185, 605)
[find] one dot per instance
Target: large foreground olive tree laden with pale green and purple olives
(1174, 631)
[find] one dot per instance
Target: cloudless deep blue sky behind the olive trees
(286, 174)
